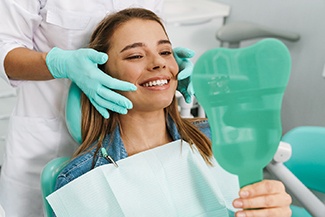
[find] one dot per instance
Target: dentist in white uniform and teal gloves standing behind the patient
(40, 54)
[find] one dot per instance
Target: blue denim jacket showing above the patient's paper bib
(116, 150)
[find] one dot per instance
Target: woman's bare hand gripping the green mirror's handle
(265, 198)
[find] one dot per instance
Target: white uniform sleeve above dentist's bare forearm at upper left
(19, 19)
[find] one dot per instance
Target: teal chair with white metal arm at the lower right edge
(303, 170)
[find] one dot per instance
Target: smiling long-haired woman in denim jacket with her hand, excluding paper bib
(141, 53)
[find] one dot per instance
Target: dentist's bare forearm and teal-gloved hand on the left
(80, 66)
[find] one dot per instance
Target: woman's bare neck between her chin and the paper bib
(143, 131)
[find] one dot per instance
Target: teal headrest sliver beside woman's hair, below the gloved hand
(73, 112)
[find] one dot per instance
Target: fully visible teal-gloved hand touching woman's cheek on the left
(80, 66)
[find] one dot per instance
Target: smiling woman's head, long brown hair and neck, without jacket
(139, 52)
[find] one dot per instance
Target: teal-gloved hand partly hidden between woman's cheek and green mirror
(182, 56)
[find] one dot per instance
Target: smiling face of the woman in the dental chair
(141, 53)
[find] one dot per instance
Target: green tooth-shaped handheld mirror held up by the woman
(241, 91)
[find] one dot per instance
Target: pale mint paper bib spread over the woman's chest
(170, 180)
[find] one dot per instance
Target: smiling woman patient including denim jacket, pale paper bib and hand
(165, 162)
